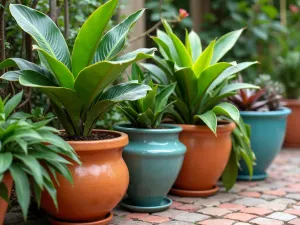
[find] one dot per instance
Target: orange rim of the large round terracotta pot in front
(117, 142)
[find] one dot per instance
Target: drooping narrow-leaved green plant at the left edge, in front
(24, 154)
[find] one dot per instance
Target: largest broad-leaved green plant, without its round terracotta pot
(78, 84)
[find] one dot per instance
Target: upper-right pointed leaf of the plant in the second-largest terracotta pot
(224, 44)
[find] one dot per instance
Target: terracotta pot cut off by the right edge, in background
(292, 137)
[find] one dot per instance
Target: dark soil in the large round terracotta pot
(93, 137)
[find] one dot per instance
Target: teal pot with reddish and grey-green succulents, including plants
(267, 118)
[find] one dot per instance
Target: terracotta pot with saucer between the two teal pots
(205, 159)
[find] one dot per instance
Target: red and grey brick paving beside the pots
(275, 201)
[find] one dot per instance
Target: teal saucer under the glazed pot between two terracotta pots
(127, 204)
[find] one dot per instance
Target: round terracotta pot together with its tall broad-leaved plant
(78, 87)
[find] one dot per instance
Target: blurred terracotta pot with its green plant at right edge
(288, 74)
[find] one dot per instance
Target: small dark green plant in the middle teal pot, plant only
(148, 111)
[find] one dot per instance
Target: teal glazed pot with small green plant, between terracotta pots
(154, 155)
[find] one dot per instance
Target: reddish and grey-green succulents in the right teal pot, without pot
(266, 99)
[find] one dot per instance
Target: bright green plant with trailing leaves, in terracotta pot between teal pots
(203, 83)
